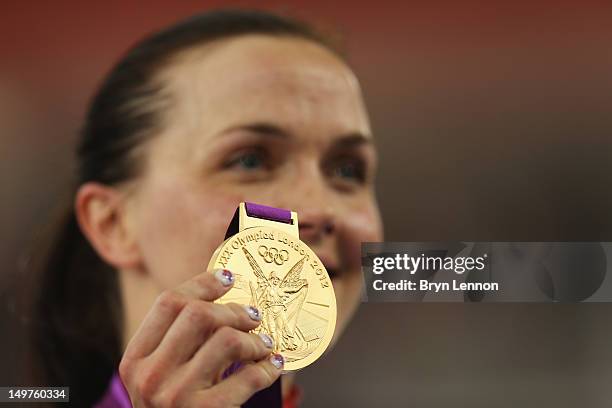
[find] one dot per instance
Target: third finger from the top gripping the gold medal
(226, 346)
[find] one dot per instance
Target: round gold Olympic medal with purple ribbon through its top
(283, 278)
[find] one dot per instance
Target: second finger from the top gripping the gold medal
(197, 322)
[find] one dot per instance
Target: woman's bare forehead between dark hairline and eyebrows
(287, 81)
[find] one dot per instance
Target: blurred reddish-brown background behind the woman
(494, 123)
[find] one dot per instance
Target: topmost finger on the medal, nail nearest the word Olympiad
(168, 305)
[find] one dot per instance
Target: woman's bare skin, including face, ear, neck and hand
(276, 121)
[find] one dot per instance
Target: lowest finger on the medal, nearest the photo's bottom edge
(238, 388)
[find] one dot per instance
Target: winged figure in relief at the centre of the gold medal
(280, 301)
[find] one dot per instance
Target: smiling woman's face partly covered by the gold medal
(276, 121)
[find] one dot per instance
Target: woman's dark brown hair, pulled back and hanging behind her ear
(76, 311)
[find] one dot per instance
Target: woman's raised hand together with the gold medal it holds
(262, 280)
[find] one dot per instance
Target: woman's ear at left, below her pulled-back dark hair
(103, 217)
